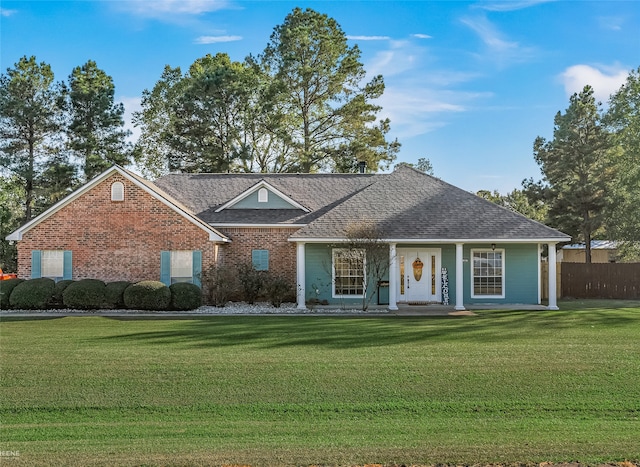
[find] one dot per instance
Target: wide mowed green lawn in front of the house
(500, 387)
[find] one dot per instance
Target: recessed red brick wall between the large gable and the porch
(282, 253)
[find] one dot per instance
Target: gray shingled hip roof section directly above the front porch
(408, 204)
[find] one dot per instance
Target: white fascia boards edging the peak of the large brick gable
(214, 236)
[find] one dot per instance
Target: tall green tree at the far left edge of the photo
(30, 122)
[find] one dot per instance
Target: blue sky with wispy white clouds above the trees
(469, 85)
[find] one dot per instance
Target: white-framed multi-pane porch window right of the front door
(488, 273)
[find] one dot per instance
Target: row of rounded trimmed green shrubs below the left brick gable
(91, 294)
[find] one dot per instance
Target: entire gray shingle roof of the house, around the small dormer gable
(405, 204)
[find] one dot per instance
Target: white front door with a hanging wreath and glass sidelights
(419, 275)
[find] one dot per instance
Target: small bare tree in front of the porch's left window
(365, 244)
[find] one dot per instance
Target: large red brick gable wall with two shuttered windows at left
(115, 240)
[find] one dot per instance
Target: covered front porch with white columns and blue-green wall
(515, 284)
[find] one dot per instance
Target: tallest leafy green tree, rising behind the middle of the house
(331, 120)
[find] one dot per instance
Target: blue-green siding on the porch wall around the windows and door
(521, 273)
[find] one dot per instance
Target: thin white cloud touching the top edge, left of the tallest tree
(160, 8)
